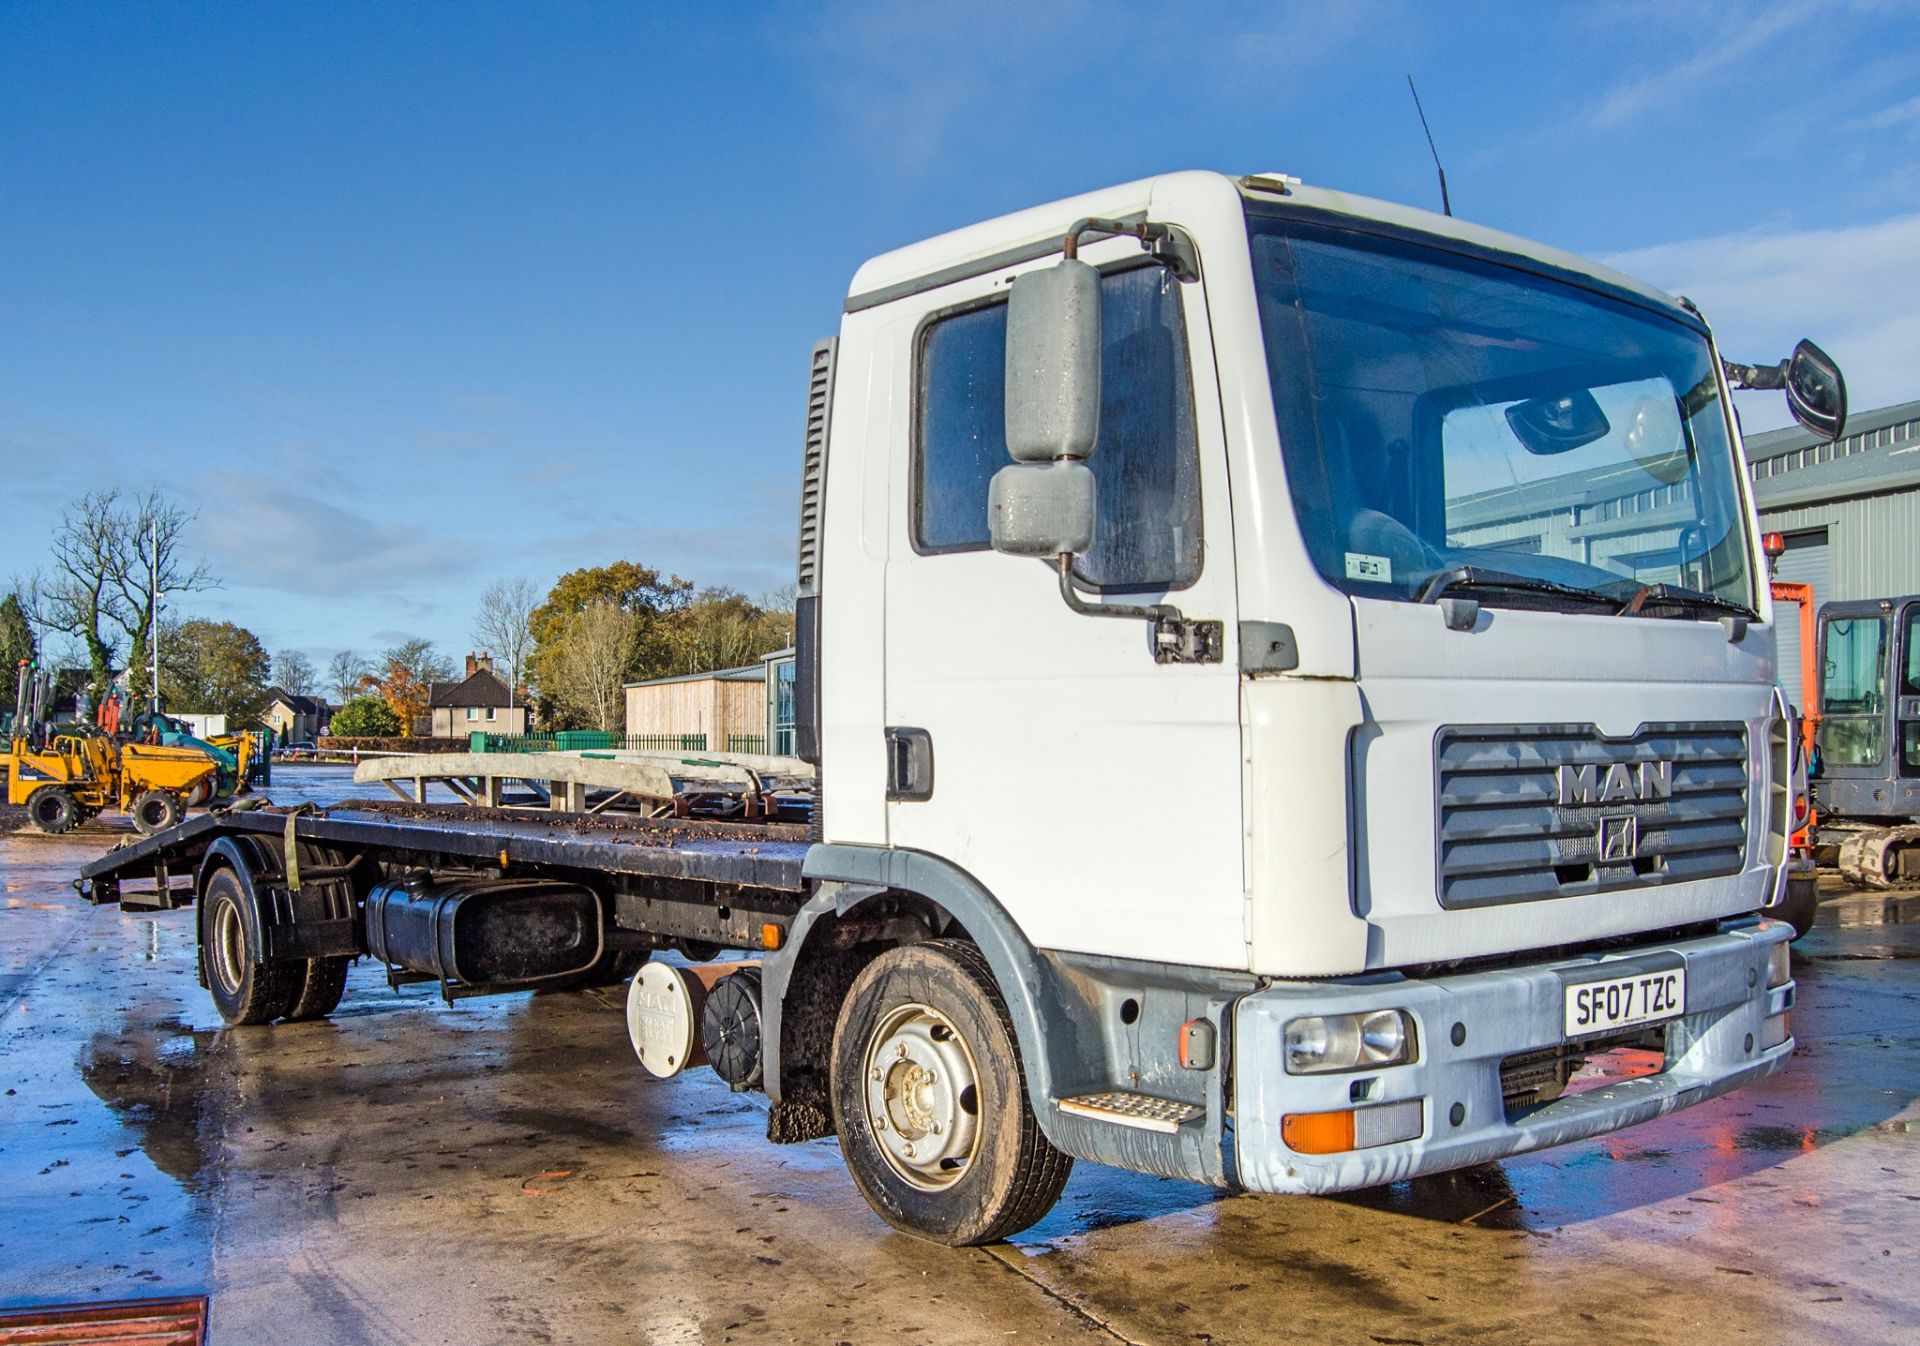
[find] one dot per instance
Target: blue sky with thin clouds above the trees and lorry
(410, 299)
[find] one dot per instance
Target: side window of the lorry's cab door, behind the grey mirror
(1147, 462)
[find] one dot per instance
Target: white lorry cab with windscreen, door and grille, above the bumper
(1466, 523)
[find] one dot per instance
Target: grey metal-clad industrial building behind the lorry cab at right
(1850, 512)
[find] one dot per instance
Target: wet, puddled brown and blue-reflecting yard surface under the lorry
(504, 1172)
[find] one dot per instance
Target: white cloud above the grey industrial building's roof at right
(1848, 289)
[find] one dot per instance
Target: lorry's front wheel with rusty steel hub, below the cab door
(930, 1099)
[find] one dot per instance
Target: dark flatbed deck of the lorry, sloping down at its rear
(759, 855)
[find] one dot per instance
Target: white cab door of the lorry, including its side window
(1090, 788)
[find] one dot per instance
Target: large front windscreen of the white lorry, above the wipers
(1454, 420)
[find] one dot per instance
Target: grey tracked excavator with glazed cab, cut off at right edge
(1869, 740)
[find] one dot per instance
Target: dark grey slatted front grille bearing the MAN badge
(1504, 836)
